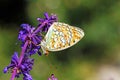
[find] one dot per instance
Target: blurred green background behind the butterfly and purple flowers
(95, 57)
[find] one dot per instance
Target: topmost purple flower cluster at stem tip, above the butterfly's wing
(47, 21)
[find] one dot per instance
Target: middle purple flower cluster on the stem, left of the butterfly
(27, 34)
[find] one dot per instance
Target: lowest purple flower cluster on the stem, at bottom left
(24, 68)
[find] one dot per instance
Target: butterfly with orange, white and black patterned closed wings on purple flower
(61, 36)
